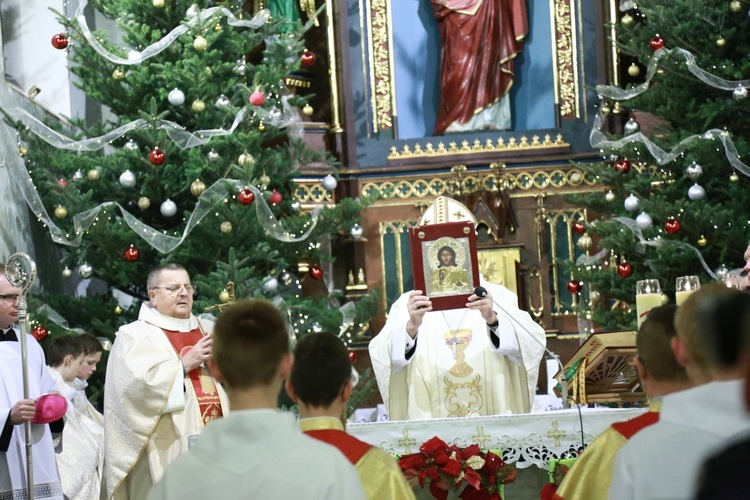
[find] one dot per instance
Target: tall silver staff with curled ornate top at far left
(20, 272)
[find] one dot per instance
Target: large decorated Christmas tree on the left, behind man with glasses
(194, 163)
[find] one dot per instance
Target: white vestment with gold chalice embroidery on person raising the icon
(455, 370)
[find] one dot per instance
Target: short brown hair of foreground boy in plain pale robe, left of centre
(249, 341)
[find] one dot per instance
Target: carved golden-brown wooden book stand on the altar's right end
(602, 370)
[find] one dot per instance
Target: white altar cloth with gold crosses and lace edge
(528, 439)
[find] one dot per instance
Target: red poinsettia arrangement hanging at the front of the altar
(448, 467)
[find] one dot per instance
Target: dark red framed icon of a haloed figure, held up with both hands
(444, 263)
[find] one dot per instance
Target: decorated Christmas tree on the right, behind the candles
(676, 201)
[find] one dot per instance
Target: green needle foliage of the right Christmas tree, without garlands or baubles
(685, 106)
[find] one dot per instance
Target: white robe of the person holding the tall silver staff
(13, 461)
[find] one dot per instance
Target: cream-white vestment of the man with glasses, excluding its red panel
(150, 405)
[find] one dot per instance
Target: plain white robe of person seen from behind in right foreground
(663, 460)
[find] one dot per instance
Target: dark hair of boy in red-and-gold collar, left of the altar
(321, 368)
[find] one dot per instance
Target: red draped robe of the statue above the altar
(480, 39)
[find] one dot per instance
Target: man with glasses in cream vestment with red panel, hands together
(158, 392)
